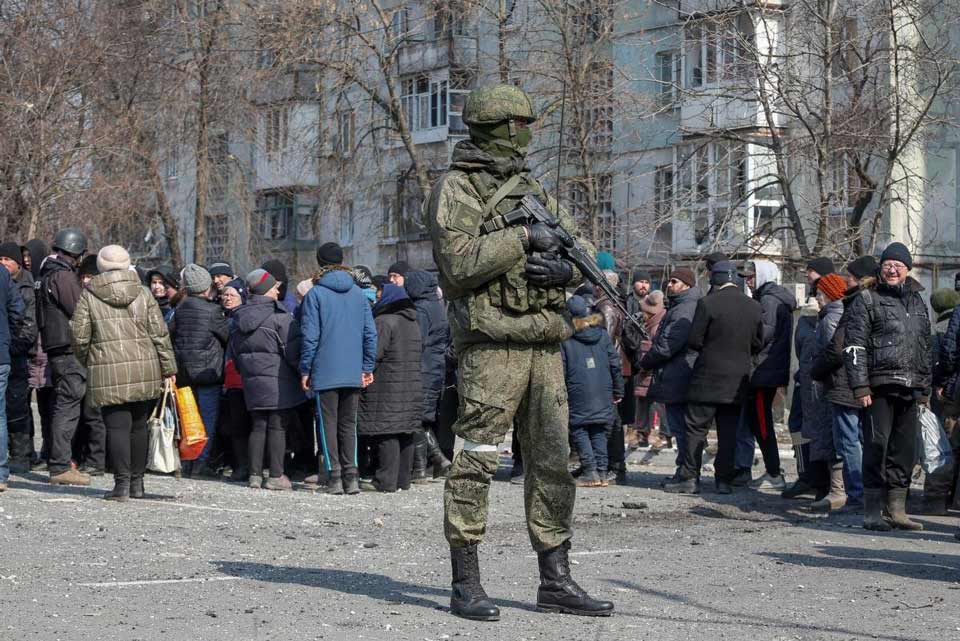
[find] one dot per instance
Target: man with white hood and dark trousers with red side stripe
(773, 367)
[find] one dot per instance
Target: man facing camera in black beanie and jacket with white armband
(887, 359)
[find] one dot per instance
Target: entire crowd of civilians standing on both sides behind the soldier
(347, 380)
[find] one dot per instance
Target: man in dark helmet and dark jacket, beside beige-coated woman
(57, 297)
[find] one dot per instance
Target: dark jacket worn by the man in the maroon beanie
(668, 357)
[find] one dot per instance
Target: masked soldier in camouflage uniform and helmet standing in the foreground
(505, 287)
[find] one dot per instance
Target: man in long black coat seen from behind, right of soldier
(727, 331)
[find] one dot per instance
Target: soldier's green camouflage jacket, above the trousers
(482, 274)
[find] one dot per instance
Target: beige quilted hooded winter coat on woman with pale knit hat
(120, 336)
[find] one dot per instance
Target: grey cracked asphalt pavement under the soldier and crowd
(207, 560)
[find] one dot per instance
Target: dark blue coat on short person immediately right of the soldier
(592, 369)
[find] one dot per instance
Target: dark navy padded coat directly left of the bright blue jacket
(265, 347)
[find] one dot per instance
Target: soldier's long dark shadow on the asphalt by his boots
(374, 586)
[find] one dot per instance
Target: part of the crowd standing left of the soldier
(334, 381)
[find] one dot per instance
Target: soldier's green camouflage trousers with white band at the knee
(497, 383)
